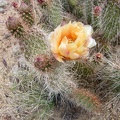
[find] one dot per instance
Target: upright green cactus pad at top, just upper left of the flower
(53, 11)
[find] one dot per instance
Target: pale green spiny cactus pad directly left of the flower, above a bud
(33, 45)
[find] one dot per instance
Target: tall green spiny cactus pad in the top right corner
(110, 22)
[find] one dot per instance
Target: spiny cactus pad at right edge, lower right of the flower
(111, 75)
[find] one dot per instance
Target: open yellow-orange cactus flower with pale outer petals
(71, 41)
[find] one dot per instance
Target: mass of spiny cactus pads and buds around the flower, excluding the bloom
(80, 79)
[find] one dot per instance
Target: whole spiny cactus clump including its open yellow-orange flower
(87, 81)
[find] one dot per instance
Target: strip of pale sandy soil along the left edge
(7, 60)
